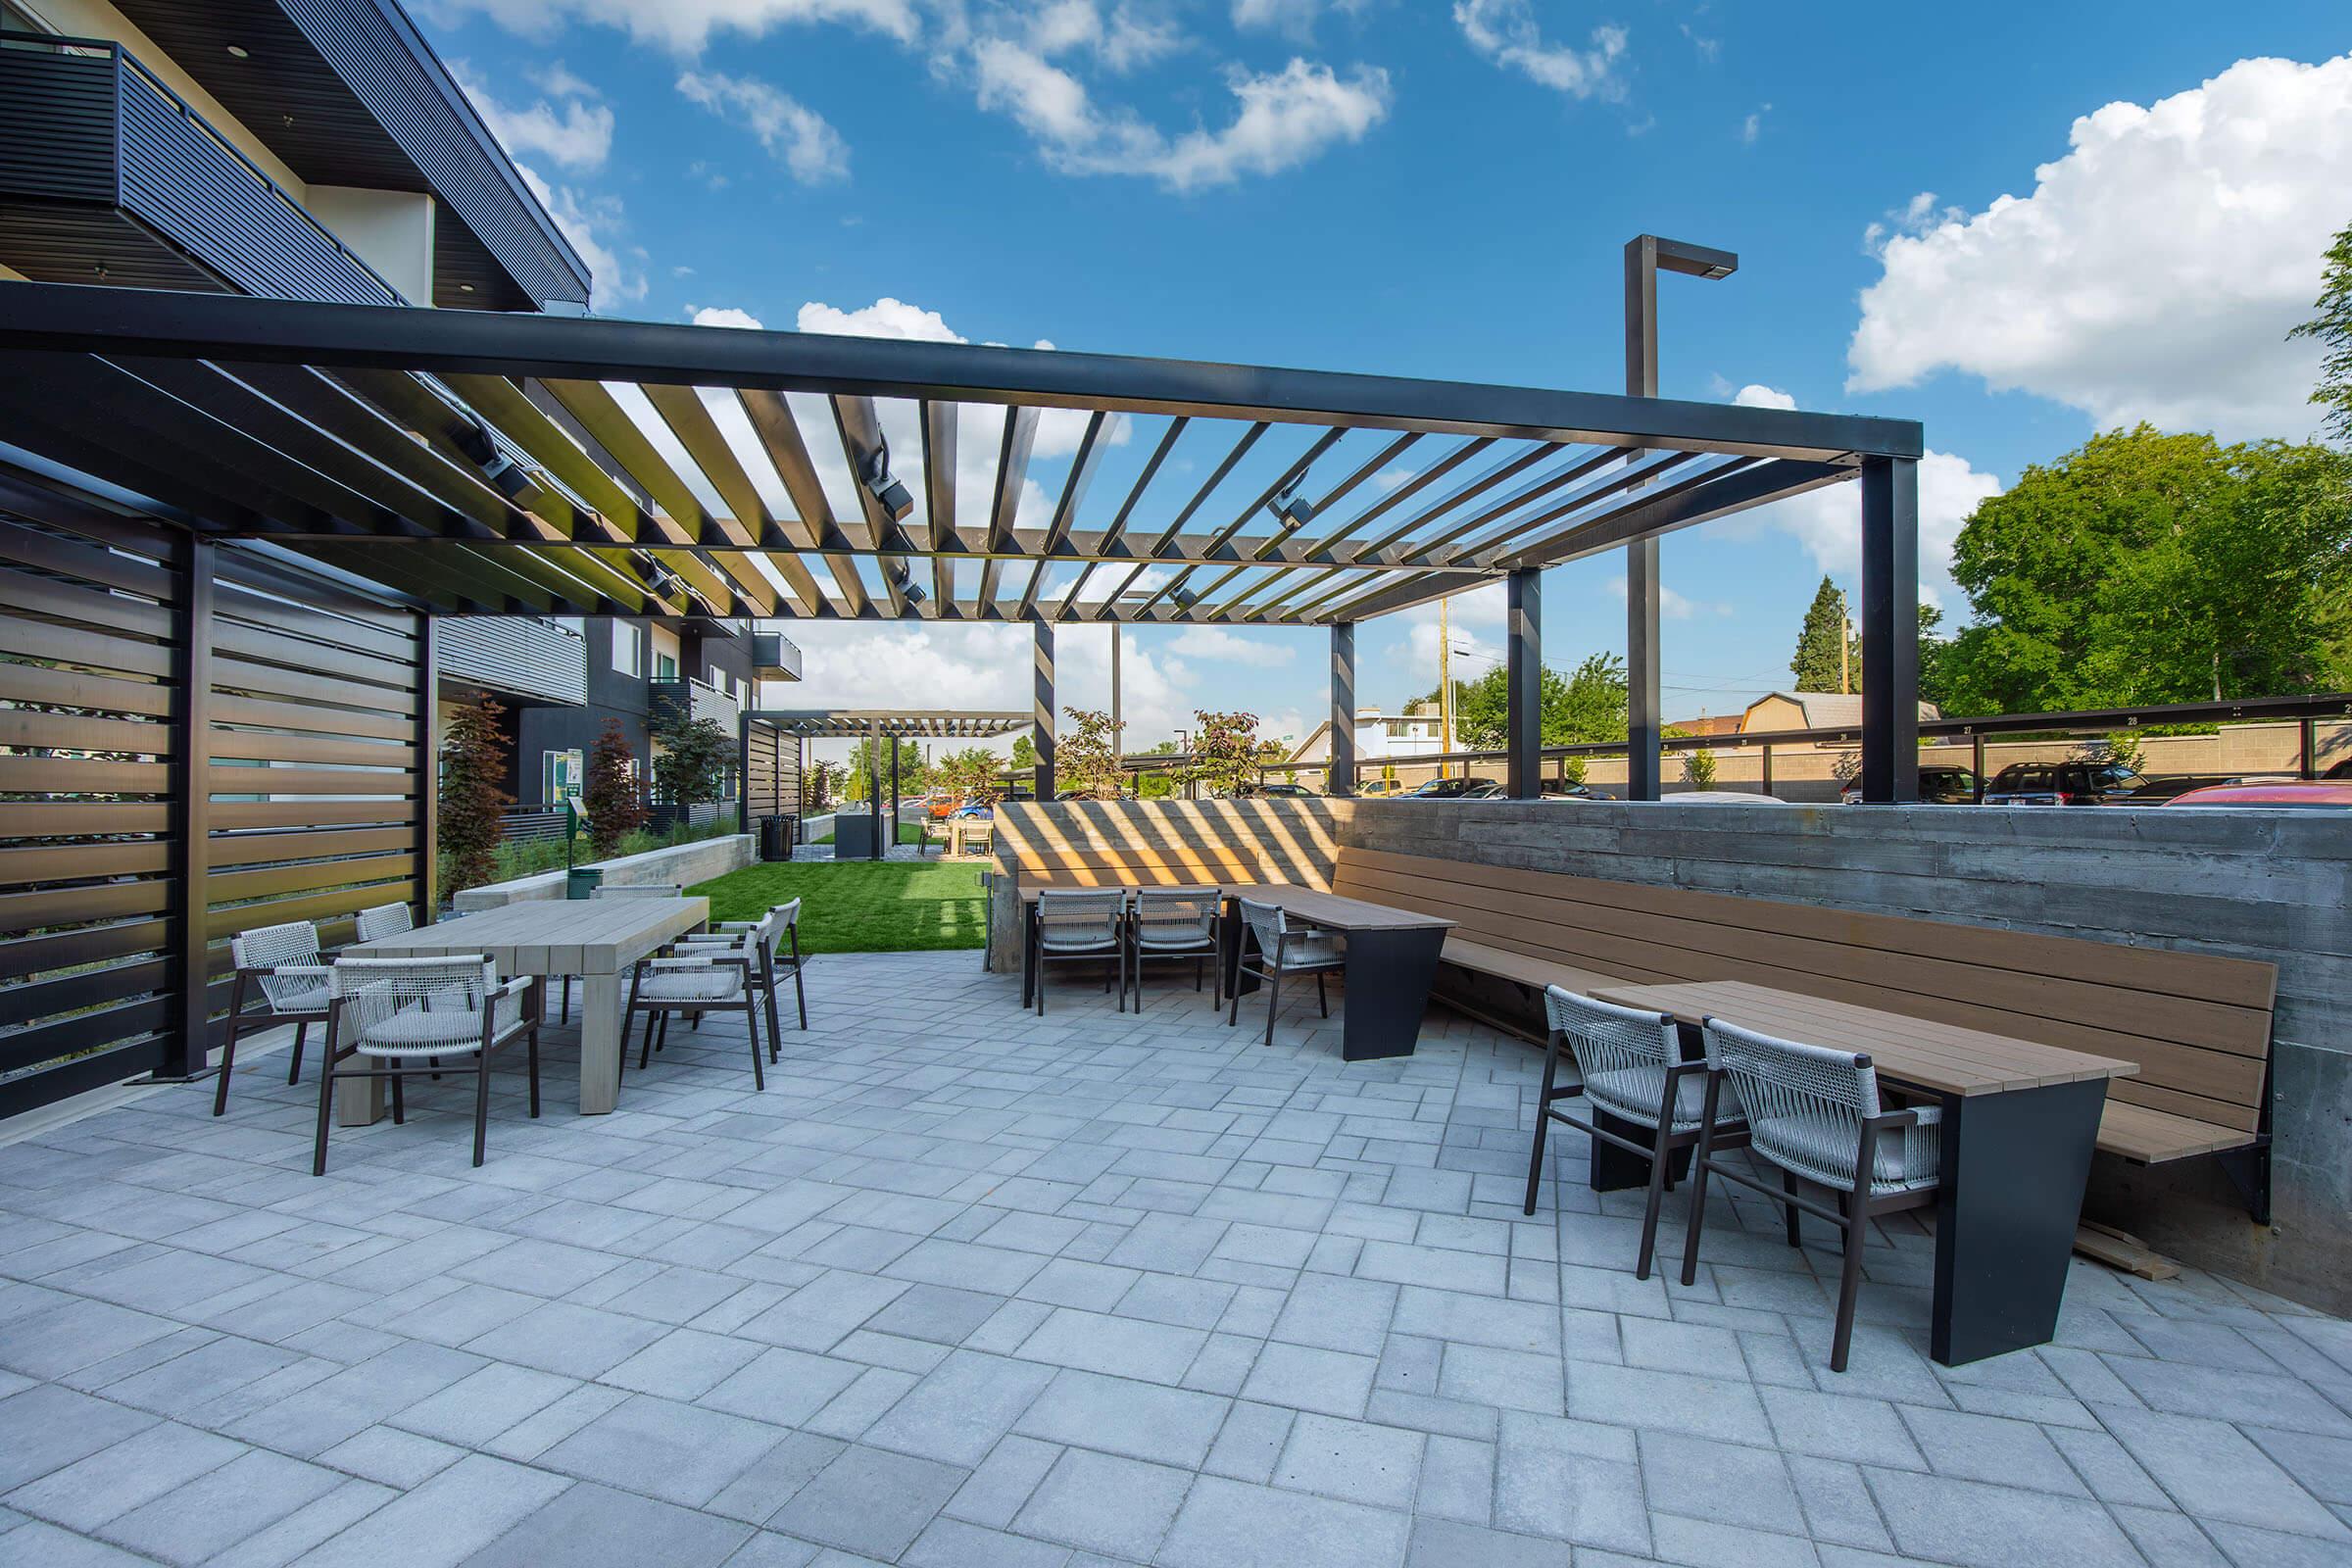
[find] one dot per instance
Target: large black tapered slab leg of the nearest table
(2014, 1172)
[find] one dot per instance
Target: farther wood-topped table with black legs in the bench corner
(1391, 960)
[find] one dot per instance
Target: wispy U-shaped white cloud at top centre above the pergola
(1281, 121)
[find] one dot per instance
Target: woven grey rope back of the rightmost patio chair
(1805, 1104)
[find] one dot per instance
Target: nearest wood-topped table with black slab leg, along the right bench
(2019, 1125)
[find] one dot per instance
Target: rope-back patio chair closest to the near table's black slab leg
(1815, 1113)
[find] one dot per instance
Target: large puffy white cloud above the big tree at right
(2156, 269)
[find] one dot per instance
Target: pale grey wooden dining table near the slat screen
(596, 939)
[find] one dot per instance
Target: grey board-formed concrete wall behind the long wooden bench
(2259, 885)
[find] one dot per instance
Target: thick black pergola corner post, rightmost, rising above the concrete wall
(1890, 631)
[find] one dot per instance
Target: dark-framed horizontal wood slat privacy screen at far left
(253, 739)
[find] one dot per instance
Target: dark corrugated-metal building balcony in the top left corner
(107, 175)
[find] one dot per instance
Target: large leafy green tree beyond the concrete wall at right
(2153, 568)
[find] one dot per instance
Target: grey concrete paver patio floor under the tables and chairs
(973, 1289)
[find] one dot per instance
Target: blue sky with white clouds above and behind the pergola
(2014, 225)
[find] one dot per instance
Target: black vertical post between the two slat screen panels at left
(189, 1040)
